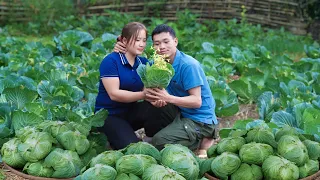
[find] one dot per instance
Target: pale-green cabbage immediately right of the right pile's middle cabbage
(291, 148)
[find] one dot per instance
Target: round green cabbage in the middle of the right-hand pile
(255, 153)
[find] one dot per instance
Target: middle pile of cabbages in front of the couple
(142, 161)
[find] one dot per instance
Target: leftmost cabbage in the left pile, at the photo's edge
(10, 154)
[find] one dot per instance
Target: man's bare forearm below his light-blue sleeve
(190, 101)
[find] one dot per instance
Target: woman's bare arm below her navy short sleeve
(112, 84)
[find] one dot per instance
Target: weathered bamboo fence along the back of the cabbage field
(273, 13)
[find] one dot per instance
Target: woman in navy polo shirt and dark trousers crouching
(121, 87)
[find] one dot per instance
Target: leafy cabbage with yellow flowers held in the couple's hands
(156, 75)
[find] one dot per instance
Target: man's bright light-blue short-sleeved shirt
(188, 75)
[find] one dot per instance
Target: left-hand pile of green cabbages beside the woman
(53, 149)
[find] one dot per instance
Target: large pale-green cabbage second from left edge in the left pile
(36, 146)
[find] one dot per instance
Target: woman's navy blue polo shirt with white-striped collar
(117, 65)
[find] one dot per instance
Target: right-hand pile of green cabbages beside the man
(261, 153)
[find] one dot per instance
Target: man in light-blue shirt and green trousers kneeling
(189, 91)
